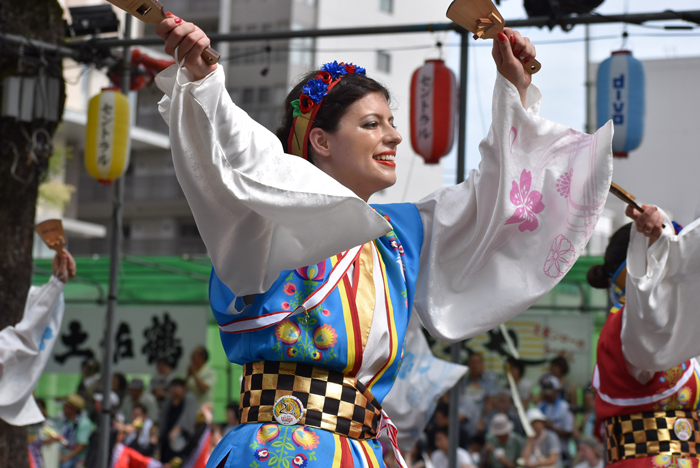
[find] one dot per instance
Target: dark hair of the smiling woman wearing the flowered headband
(334, 105)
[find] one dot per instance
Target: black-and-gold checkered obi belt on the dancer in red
(652, 433)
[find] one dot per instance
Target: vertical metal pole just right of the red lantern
(453, 429)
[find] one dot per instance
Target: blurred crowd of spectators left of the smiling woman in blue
(165, 420)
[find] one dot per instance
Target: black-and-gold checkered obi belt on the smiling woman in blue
(296, 393)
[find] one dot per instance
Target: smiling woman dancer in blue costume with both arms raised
(313, 288)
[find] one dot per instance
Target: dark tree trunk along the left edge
(20, 175)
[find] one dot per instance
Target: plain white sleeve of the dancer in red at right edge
(661, 322)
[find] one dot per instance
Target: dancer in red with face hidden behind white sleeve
(646, 374)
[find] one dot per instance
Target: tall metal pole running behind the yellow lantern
(115, 257)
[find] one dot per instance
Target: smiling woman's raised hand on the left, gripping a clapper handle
(190, 41)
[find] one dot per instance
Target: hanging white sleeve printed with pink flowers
(501, 240)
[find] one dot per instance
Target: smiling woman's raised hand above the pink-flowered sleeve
(508, 50)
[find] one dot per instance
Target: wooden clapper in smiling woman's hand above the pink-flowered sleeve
(482, 18)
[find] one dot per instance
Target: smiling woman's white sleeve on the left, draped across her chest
(259, 211)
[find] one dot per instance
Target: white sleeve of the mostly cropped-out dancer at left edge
(24, 350)
